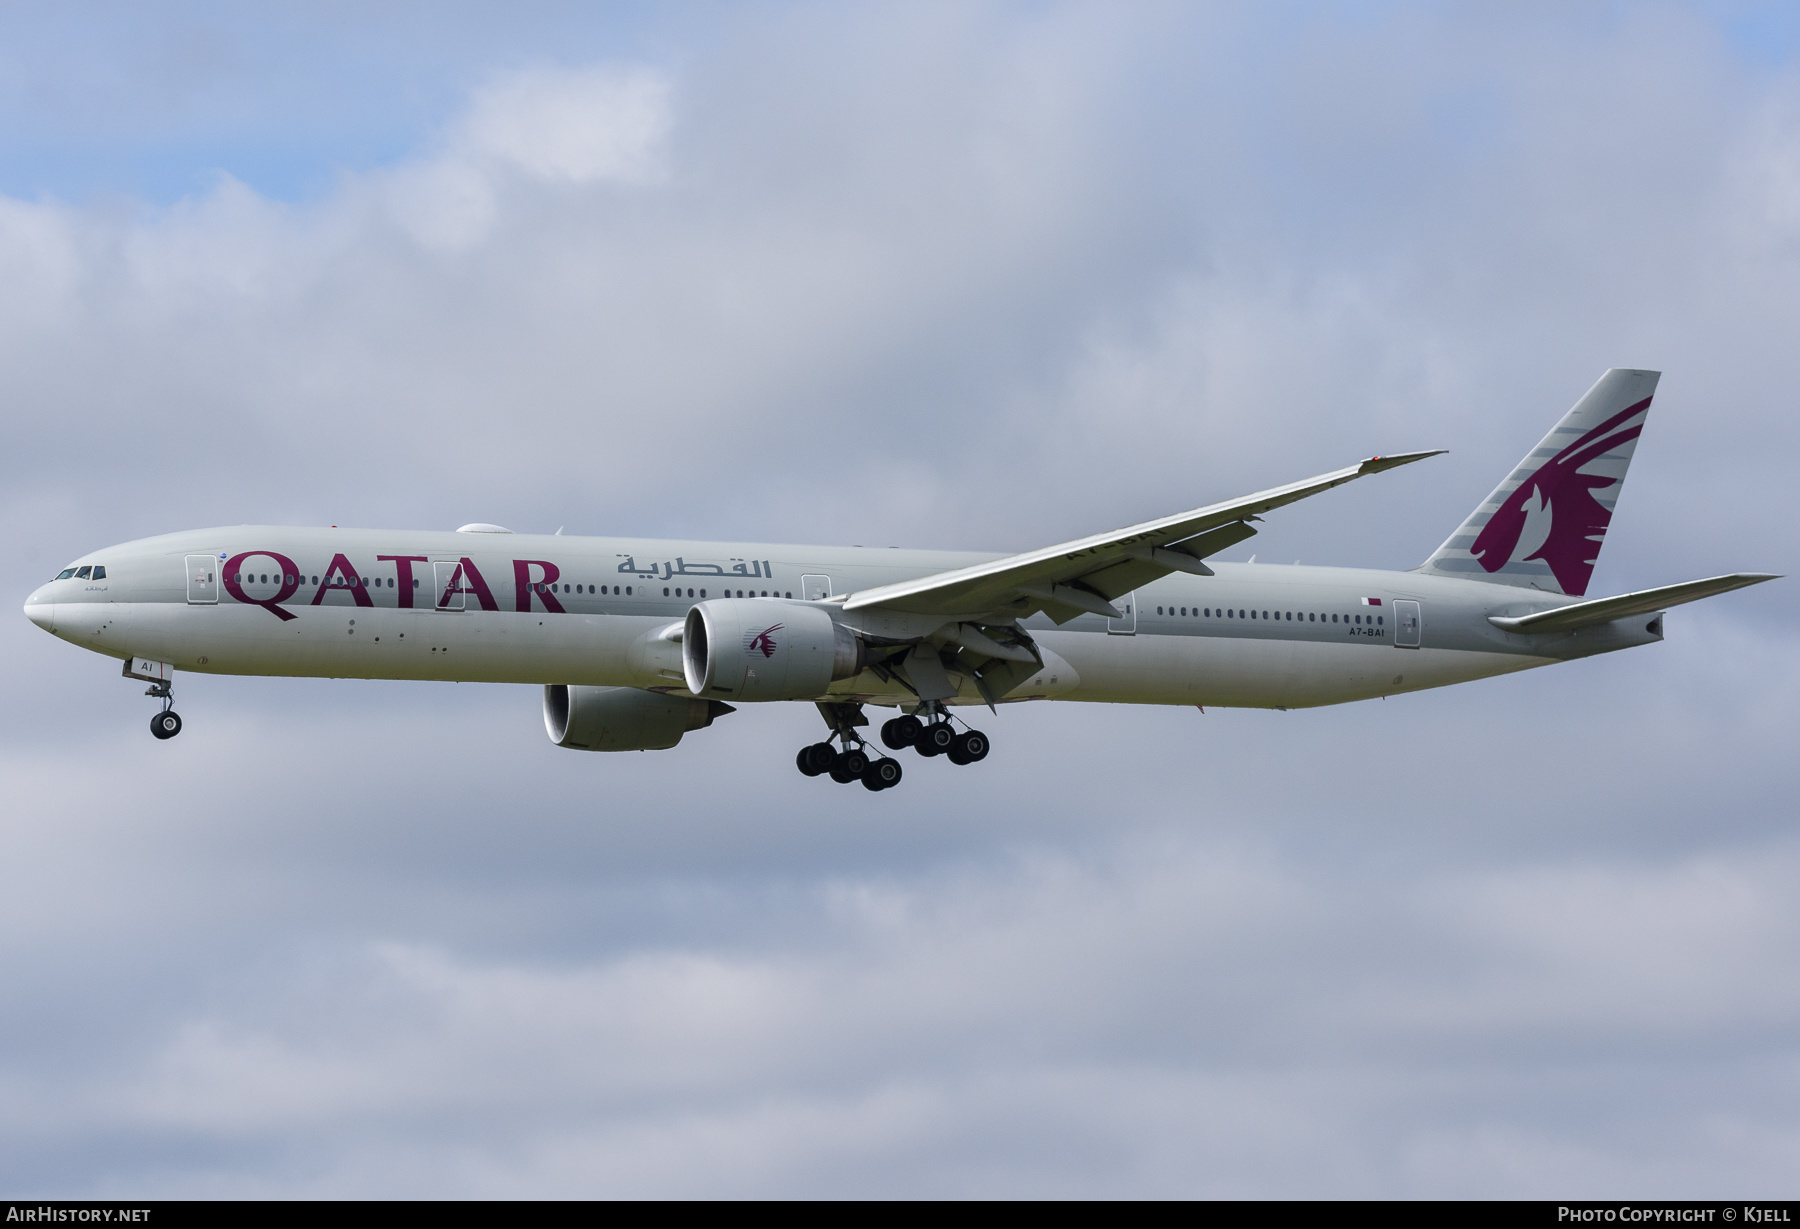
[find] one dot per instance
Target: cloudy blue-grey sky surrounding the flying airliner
(958, 276)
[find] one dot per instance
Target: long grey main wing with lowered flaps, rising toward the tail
(1083, 577)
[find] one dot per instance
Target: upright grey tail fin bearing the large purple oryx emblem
(1543, 526)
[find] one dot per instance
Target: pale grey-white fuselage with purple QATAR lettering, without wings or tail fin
(359, 604)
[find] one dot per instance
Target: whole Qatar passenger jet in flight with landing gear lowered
(636, 643)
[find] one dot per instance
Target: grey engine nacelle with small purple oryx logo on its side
(755, 649)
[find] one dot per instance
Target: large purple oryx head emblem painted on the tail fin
(1560, 503)
